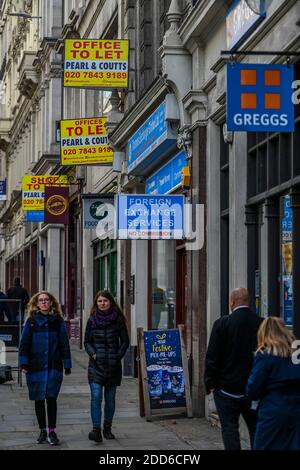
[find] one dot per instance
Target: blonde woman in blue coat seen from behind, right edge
(275, 382)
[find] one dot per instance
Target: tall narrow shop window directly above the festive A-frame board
(163, 297)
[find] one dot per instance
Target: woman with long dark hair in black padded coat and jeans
(106, 341)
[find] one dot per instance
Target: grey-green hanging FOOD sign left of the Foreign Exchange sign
(98, 213)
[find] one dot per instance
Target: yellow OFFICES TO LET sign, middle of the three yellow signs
(84, 142)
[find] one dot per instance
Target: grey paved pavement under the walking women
(19, 429)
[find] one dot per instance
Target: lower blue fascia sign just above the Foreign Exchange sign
(168, 177)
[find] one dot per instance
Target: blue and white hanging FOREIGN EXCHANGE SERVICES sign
(140, 216)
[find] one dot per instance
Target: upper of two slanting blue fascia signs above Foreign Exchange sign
(152, 141)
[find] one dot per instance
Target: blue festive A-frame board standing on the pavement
(163, 373)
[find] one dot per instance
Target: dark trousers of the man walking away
(229, 411)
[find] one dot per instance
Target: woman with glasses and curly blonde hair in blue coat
(44, 352)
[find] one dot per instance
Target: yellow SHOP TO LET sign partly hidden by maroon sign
(33, 189)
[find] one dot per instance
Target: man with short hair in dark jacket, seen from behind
(228, 363)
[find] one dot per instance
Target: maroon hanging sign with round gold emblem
(56, 205)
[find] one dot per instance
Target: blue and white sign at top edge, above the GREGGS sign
(241, 21)
